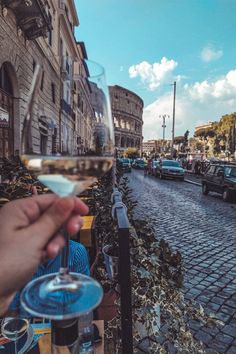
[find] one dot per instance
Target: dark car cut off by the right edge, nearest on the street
(220, 178)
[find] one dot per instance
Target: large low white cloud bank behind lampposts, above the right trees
(197, 103)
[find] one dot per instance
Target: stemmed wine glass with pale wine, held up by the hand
(66, 295)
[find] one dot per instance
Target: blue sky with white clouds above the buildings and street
(146, 45)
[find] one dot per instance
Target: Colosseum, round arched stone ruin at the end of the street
(127, 112)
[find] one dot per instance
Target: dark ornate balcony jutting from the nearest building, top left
(31, 16)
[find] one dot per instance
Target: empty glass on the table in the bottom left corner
(14, 329)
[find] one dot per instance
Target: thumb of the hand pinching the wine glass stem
(51, 221)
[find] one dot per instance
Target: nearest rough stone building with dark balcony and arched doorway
(23, 45)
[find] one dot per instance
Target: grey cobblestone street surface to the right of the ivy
(203, 228)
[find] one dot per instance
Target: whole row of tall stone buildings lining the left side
(61, 111)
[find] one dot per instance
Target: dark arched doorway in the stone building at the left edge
(9, 103)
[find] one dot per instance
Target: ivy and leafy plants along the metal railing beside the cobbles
(157, 278)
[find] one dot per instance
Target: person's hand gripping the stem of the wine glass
(29, 233)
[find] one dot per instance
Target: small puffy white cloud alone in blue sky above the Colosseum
(153, 75)
